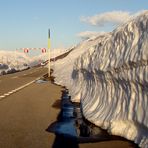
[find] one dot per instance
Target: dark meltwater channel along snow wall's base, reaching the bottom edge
(71, 128)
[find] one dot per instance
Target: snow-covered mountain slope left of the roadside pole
(12, 61)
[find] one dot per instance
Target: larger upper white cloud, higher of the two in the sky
(114, 17)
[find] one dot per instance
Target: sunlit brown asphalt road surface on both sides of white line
(26, 114)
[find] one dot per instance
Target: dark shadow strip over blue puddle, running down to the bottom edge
(64, 126)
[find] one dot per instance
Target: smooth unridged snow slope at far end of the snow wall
(63, 68)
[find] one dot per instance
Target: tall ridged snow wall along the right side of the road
(109, 76)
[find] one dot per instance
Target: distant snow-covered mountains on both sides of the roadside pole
(13, 61)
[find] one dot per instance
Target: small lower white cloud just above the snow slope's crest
(89, 34)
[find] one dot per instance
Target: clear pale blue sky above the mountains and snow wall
(25, 23)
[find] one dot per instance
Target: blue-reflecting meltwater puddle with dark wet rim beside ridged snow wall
(71, 125)
